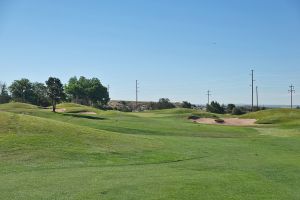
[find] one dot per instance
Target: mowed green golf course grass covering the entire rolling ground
(148, 155)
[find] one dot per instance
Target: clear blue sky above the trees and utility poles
(175, 48)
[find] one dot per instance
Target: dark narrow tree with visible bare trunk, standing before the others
(55, 91)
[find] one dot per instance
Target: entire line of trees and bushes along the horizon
(92, 93)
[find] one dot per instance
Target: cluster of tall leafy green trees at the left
(83, 90)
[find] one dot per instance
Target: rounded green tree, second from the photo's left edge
(21, 90)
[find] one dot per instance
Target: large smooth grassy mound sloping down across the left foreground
(43, 143)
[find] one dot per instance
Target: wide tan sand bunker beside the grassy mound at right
(227, 121)
